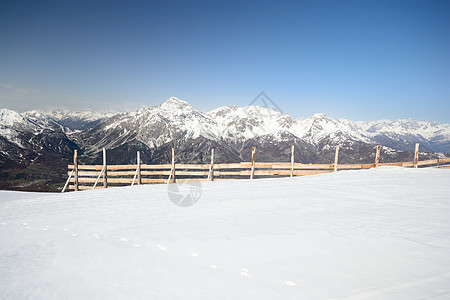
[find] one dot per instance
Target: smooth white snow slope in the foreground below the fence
(371, 234)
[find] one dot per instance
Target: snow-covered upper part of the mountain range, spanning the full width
(160, 124)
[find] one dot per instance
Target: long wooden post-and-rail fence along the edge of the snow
(82, 177)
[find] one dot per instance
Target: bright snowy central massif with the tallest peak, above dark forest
(174, 118)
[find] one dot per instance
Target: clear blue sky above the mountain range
(362, 60)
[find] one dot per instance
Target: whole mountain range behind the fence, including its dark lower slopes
(35, 137)
